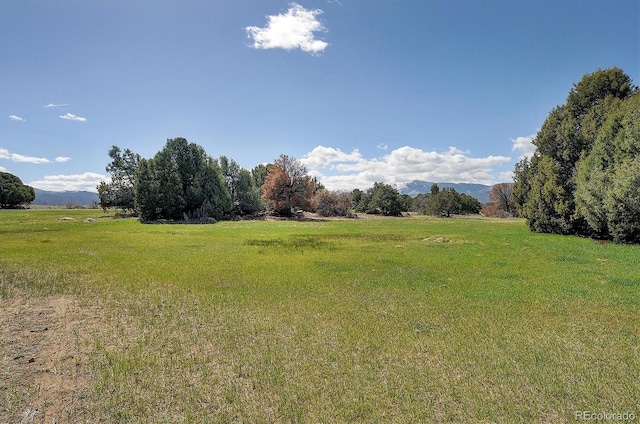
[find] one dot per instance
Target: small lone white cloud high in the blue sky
(291, 30)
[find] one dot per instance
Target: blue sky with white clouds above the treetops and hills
(360, 91)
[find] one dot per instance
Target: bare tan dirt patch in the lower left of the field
(44, 351)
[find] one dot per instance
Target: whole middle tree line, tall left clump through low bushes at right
(183, 183)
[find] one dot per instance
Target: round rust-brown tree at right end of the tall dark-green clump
(287, 186)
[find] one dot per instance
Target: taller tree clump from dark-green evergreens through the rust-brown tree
(183, 183)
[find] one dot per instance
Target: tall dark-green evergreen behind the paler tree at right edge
(545, 186)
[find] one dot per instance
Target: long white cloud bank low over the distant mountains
(339, 170)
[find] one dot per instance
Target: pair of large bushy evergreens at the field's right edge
(584, 177)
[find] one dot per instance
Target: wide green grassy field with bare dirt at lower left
(400, 320)
